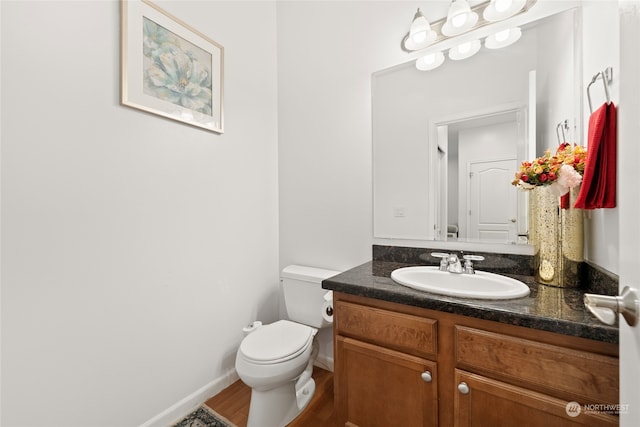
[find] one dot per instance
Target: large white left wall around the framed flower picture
(134, 248)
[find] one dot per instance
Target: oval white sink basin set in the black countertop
(483, 285)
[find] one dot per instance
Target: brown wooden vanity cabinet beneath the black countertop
(397, 365)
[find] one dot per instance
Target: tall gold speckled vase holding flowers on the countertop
(557, 237)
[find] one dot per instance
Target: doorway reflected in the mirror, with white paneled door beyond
(477, 198)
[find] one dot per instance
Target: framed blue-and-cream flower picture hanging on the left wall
(169, 68)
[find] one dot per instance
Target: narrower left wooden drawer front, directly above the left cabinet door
(404, 332)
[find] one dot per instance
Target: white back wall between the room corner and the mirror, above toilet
(327, 51)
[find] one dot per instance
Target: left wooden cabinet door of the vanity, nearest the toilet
(378, 387)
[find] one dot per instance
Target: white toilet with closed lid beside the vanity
(276, 360)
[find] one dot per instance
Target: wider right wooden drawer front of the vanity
(579, 375)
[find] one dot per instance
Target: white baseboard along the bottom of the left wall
(190, 403)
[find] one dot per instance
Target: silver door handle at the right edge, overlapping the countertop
(606, 308)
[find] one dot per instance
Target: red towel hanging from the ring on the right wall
(599, 181)
